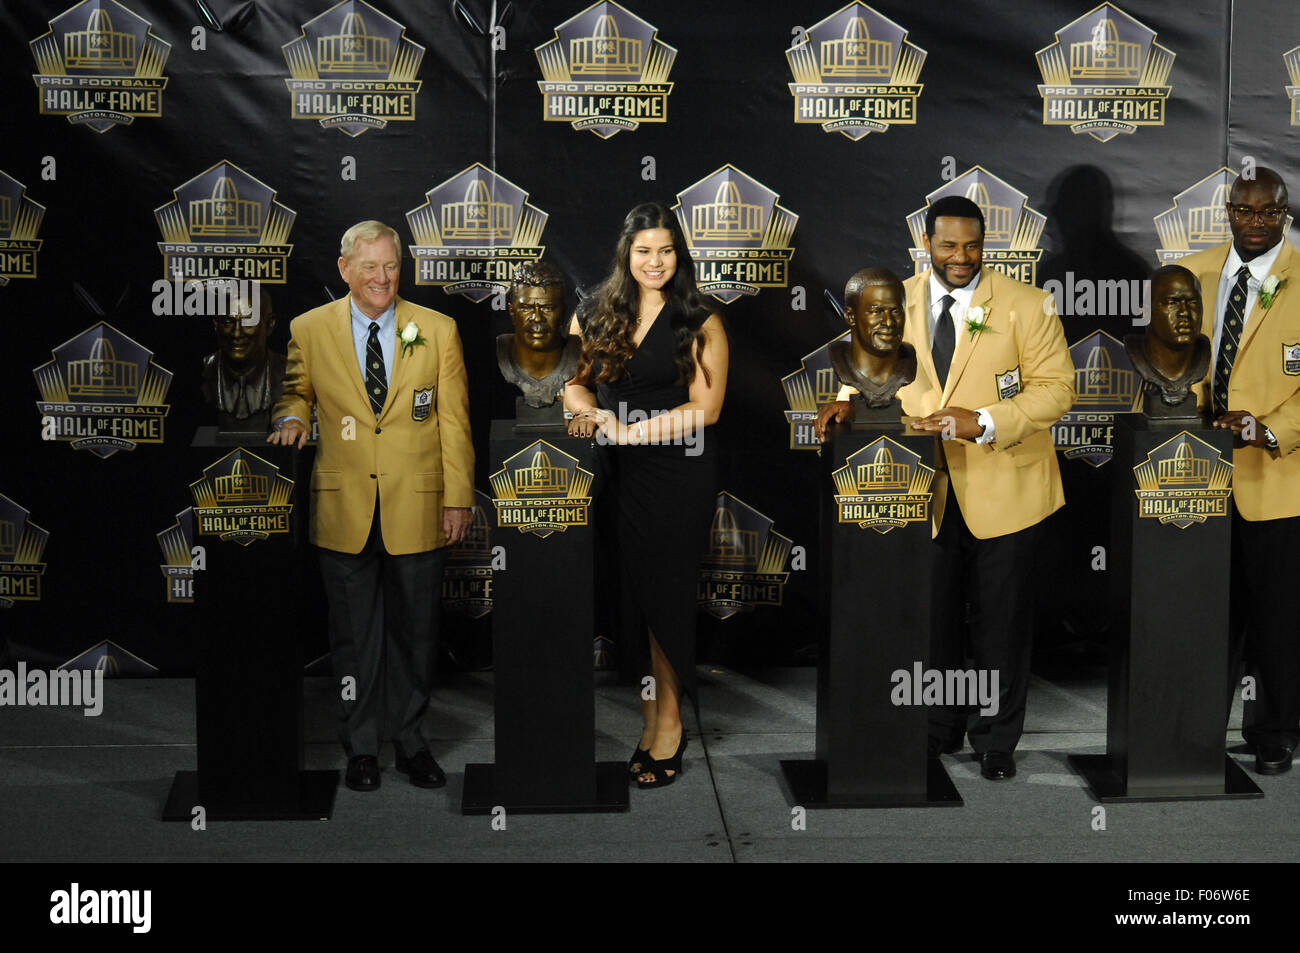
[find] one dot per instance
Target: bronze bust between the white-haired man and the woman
(538, 358)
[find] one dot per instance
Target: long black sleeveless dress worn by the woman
(665, 500)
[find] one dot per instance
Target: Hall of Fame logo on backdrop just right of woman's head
(738, 235)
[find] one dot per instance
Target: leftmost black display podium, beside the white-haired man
(249, 686)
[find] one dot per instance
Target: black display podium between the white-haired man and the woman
(543, 634)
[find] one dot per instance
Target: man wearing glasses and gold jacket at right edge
(1254, 389)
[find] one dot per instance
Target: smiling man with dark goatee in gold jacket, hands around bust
(994, 374)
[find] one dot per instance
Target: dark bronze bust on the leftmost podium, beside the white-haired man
(242, 380)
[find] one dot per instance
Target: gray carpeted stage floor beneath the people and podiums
(88, 790)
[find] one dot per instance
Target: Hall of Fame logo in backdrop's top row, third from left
(606, 71)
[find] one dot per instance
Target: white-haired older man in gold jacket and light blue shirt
(392, 491)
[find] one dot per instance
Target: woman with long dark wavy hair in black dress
(657, 361)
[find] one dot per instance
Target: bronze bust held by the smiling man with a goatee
(876, 361)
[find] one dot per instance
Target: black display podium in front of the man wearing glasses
(1167, 701)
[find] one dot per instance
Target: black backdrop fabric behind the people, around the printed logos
(730, 105)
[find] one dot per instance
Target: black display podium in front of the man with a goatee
(870, 752)
